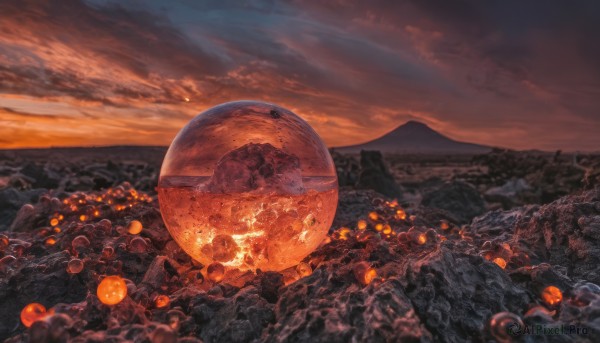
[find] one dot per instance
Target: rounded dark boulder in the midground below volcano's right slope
(458, 198)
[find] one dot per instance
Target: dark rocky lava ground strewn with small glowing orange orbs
(445, 268)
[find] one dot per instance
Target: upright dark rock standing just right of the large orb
(374, 174)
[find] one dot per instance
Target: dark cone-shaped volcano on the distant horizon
(416, 137)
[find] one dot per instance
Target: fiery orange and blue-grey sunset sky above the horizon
(517, 74)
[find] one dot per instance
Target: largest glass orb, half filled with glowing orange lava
(249, 185)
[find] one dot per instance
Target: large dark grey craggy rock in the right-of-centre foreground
(451, 294)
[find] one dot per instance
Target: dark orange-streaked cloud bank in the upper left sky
(136, 42)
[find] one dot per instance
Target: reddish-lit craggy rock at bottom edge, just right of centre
(311, 311)
